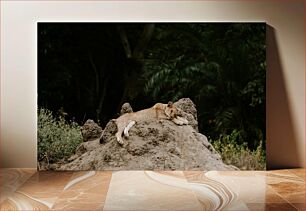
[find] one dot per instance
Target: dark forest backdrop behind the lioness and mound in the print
(88, 70)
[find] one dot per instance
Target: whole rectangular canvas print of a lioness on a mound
(151, 96)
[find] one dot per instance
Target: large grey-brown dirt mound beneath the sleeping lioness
(158, 145)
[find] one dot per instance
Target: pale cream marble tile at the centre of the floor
(144, 190)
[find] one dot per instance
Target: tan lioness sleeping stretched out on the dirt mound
(157, 112)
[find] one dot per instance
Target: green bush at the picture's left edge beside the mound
(57, 139)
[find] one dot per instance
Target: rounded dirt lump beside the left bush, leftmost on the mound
(91, 131)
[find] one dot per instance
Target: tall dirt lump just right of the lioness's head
(189, 111)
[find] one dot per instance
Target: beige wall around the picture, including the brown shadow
(285, 64)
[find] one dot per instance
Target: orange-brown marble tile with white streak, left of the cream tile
(60, 191)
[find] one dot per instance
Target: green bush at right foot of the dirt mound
(239, 154)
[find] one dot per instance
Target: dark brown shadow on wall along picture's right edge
(281, 138)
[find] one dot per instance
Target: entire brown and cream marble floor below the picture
(27, 189)
